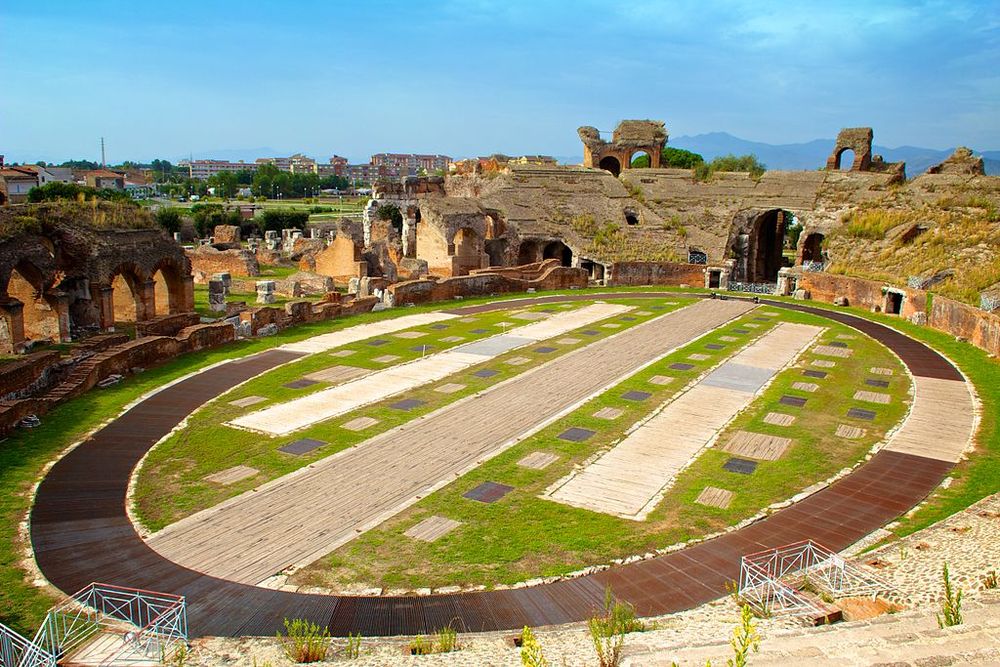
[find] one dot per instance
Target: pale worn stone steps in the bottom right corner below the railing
(900, 640)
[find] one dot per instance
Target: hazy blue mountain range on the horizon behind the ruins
(812, 155)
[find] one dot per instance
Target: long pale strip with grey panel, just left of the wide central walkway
(300, 413)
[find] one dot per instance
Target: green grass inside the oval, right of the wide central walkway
(523, 536)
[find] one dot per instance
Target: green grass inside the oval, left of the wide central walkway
(171, 483)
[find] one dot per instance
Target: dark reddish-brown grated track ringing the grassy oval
(80, 531)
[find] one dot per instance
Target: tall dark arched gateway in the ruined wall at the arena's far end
(758, 246)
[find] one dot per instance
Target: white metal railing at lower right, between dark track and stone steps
(772, 581)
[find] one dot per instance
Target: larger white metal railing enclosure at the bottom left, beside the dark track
(151, 625)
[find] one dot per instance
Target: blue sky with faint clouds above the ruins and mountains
(164, 79)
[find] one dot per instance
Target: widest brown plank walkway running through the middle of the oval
(304, 515)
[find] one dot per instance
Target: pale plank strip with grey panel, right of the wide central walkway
(629, 479)
